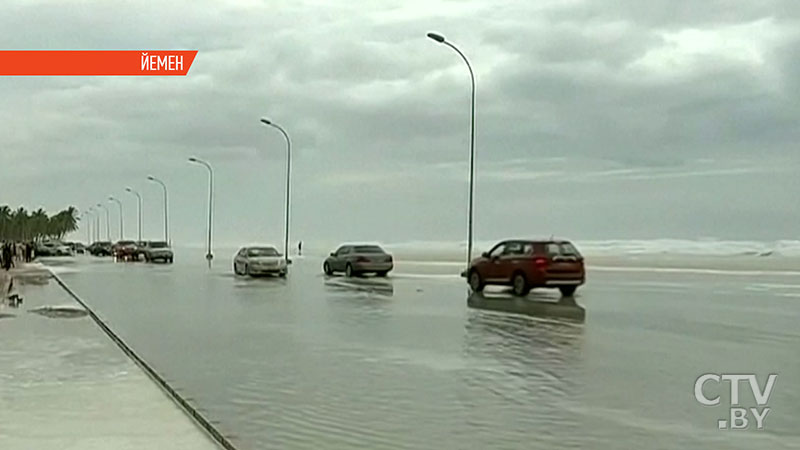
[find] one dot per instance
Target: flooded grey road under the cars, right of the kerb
(414, 362)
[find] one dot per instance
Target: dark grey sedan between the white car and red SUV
(358, 259)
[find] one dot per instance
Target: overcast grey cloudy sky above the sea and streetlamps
(623, 119)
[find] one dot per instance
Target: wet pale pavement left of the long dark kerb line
(65, 385)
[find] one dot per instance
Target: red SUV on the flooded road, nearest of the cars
(529, 264)
